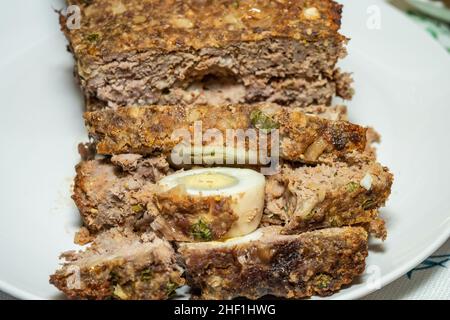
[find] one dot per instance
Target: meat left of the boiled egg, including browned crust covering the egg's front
(121, 191)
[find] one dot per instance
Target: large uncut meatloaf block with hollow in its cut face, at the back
(176, 52)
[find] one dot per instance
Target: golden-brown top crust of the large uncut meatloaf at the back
(175, 25)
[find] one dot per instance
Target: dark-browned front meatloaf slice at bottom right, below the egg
(269, 263)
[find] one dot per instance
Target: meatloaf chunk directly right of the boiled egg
(308, 198)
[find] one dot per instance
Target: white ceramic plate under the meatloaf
(402, 80)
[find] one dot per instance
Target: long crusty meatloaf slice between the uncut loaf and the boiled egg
(154, 129)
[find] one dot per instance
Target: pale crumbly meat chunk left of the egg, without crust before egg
(110, 195)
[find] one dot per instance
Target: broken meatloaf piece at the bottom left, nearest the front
(120, 264)
